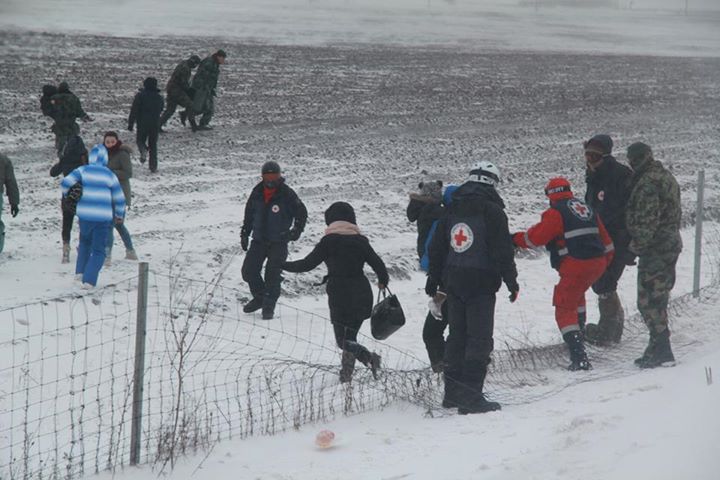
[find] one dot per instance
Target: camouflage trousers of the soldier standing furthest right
(656, 278)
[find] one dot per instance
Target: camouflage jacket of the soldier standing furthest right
(653, 211)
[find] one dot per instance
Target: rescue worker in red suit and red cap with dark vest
(580, 250)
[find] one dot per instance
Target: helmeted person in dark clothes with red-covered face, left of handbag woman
(274, 215)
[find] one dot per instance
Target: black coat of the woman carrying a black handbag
(350, 296)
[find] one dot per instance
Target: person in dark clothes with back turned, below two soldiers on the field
(146, 109)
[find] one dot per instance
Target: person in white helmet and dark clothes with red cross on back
(471, 253)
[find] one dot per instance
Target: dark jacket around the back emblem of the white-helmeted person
(473, 198)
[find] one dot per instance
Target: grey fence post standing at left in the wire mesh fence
(139, 373)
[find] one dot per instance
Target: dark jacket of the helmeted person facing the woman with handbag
(270, 222)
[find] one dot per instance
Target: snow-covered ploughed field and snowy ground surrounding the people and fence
(360, 103)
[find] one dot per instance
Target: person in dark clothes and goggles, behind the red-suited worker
(608, 190)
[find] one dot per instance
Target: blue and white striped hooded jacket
(102, 197)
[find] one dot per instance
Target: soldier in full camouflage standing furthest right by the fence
(653, 221)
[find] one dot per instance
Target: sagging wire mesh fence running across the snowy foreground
(214, 373)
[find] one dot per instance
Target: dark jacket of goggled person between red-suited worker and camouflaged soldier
(608, 191)
